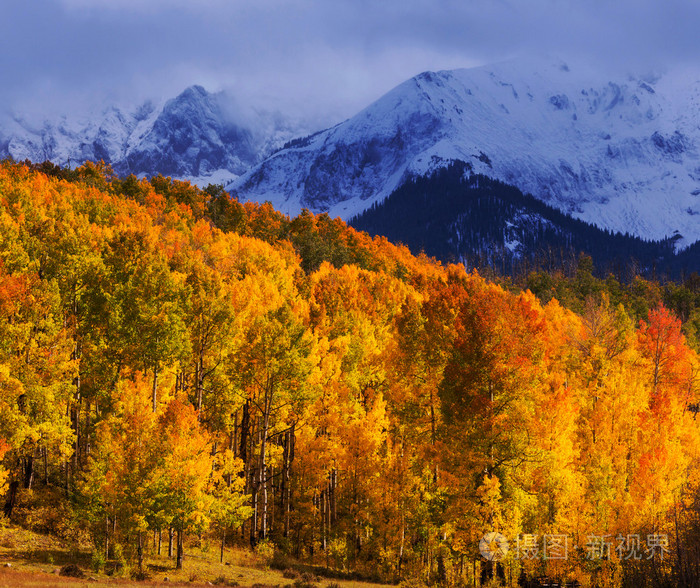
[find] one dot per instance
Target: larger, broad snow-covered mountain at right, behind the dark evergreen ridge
(621, 153)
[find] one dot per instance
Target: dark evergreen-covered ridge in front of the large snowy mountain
(458, 216)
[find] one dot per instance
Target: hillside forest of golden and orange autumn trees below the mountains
(176, 367)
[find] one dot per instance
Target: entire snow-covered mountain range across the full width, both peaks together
(621, 153)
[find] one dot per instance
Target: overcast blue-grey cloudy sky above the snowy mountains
(330, 57)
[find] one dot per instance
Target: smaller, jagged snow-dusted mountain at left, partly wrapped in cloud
(197, 135)
